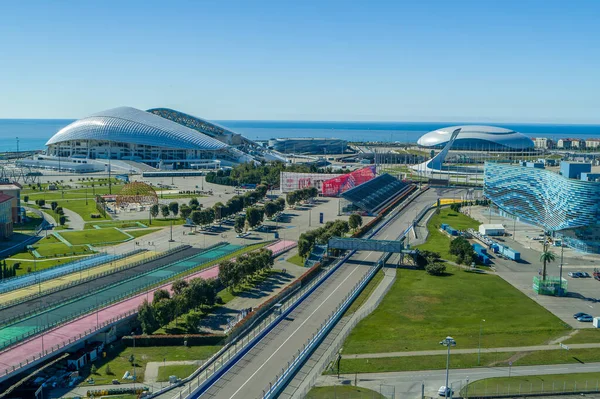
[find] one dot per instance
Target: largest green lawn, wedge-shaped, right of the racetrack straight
(420, 310)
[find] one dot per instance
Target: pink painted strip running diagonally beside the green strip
(58, 337)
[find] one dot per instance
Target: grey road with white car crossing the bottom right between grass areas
(408, 384)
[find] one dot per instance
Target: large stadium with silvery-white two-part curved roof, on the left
(158, 137)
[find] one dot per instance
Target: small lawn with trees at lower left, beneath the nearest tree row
(118, 359)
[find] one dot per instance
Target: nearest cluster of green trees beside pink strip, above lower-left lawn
(197, 294)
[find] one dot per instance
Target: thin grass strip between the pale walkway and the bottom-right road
(467, 360)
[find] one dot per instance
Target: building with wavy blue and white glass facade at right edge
(566, 208)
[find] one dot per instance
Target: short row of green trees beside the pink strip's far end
(233, 274)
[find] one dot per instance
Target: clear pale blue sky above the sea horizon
(491, 60)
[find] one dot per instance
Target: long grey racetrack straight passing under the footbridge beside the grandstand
(260, 365)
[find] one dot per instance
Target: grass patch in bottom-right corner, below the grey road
(533, 384)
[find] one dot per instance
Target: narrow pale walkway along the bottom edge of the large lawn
(534, 348)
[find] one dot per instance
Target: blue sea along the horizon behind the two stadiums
(33, 133)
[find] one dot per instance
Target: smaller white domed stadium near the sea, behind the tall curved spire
(478, 138)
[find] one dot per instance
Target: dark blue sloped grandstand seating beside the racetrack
(370, 196)
